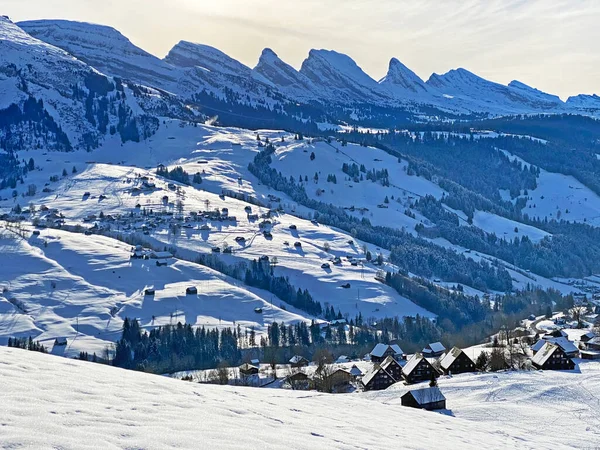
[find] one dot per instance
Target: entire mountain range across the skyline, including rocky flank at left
(55, 61)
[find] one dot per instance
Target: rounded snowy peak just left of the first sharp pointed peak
(189, 54)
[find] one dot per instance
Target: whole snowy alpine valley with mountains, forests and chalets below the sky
(188, 214)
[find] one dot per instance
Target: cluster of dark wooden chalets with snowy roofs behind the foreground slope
(390, 365)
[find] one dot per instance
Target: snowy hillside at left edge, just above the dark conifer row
(64, 284)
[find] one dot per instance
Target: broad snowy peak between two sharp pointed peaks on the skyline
(341, 79)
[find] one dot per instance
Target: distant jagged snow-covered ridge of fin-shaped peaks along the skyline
(326, 77)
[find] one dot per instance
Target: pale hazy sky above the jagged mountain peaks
(553, 45)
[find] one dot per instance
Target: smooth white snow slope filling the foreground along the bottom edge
(50, 402)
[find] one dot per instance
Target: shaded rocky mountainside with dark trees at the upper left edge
(75, 105)
